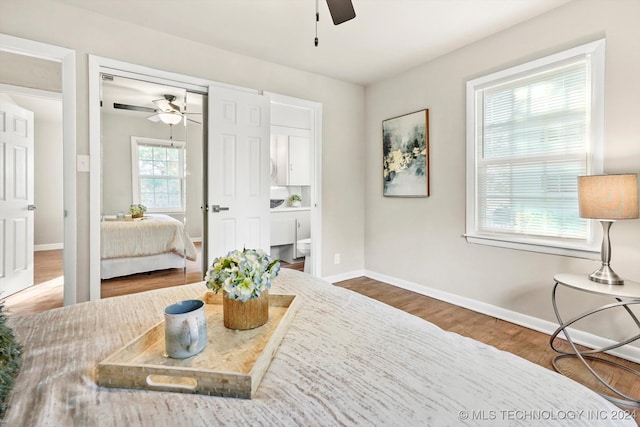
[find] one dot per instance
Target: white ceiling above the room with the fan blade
(386, 37)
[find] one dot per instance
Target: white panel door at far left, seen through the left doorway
(16, 199)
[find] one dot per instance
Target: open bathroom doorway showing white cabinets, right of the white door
(296, 136)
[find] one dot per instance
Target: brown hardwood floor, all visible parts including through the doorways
(526, 343)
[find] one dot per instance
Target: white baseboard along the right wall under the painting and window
(540, 325)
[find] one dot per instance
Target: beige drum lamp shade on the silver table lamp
(609, 197)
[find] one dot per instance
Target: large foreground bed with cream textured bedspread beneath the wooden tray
(346, 359)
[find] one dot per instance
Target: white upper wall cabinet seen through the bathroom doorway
(290, 156)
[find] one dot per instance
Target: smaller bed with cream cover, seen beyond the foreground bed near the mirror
(153, 242)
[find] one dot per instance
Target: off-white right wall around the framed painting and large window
(420, 240)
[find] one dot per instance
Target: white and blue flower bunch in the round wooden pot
(243, 275)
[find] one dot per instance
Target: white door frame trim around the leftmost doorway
(67, 58)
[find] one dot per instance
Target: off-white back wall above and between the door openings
(343, 109)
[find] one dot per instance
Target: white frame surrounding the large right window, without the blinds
(594, 53)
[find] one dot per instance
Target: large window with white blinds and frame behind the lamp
(531, 131)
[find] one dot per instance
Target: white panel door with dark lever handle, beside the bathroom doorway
(239, 171)
